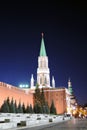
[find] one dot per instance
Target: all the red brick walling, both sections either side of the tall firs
(57, 95)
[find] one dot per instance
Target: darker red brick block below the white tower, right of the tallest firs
(59, 98)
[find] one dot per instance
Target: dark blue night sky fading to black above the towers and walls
(65, 35)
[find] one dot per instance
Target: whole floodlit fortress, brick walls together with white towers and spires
(63, 98)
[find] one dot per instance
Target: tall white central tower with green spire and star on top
(43, 73)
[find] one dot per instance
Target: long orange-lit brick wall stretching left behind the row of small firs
(15, 93)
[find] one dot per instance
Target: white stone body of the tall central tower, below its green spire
(43, 72)
